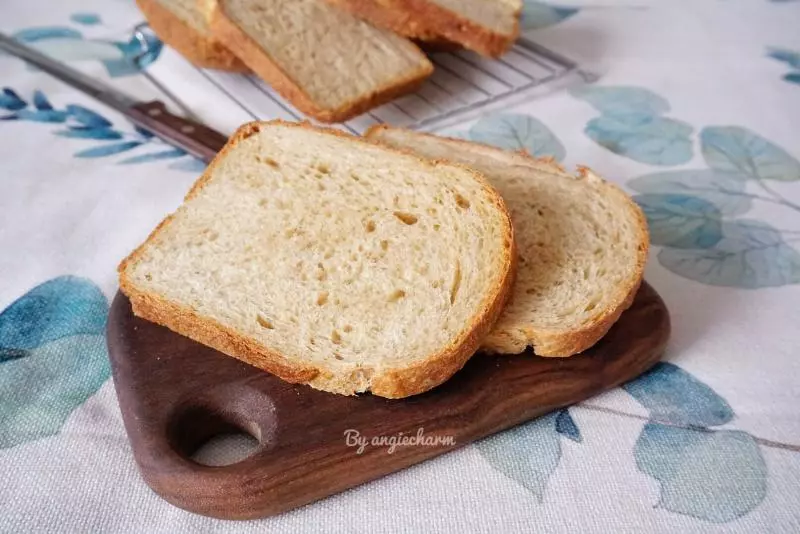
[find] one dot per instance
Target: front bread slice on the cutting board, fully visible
(329, 260)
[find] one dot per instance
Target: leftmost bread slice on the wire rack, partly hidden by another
(181, 25)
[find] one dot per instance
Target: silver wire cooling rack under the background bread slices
(462, 86)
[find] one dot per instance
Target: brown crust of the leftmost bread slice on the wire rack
(201, 51)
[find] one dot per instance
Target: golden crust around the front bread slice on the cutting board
(391, 383)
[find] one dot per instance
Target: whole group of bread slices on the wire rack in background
(332, 59)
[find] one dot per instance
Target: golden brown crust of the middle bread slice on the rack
(257, 59)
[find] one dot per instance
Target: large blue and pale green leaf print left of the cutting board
(52, 357)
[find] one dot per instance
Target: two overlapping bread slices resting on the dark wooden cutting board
(383, 263)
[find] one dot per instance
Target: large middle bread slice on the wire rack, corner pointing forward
(327, 63)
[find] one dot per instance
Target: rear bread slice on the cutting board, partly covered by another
(582, 245)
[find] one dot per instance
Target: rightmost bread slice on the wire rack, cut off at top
(488, 27)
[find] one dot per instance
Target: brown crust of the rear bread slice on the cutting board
(552, 342)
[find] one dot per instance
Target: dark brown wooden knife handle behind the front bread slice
(193, 137)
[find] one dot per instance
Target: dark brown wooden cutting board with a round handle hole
(176, 394)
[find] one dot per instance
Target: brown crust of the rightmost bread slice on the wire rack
(426, 20)
